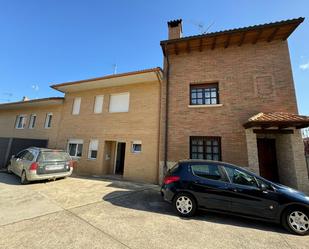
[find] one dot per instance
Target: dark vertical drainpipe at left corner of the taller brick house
(167, 74)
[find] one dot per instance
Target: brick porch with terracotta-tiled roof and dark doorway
(275, 148)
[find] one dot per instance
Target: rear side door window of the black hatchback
(208, 171)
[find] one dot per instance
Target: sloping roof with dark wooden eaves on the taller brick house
(280, 30)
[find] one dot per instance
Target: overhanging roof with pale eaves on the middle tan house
(141, 76)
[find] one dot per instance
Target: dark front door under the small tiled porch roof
(267, 159)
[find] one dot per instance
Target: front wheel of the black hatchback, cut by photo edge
(296, 220)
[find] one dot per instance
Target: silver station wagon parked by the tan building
(39, 163)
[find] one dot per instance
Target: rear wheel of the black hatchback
(184, 204)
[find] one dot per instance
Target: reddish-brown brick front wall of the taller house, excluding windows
(252, 79)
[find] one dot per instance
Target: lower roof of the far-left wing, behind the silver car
(32, 103)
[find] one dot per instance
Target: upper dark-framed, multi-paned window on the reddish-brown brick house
(206, 94)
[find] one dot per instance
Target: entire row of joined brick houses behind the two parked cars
(225, 95)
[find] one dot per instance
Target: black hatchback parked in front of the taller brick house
(223, 187)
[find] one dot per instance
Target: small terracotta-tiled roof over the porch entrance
(282, 119)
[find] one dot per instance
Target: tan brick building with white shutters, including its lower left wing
(110, 125)
